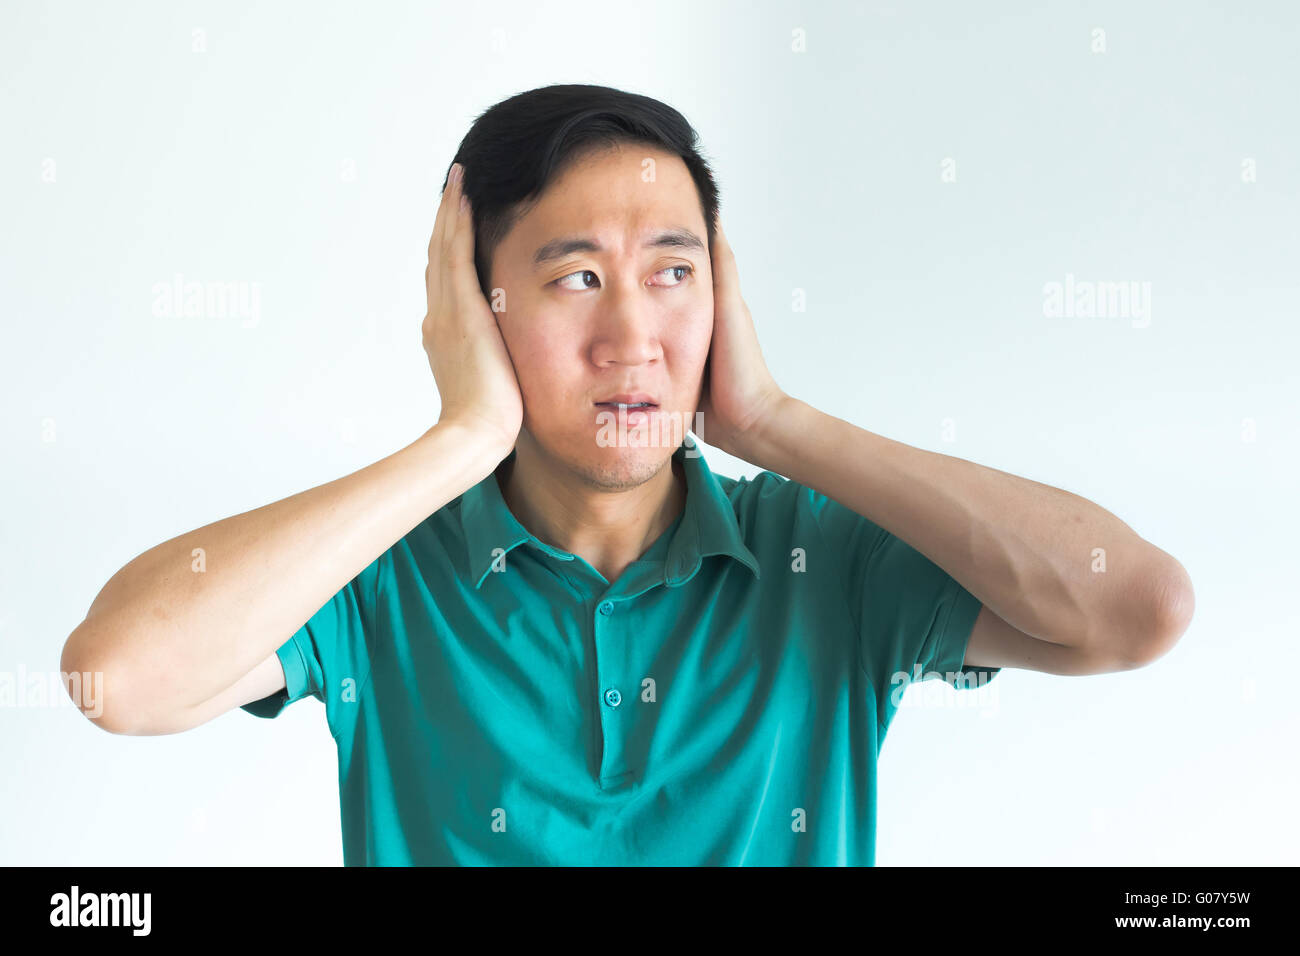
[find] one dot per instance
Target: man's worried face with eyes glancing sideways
(586, 326)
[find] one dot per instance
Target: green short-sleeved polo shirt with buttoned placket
(497, 702)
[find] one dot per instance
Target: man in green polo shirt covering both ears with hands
(543, 634)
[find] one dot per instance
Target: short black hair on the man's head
(518, 148)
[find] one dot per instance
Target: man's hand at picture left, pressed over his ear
(471, 366)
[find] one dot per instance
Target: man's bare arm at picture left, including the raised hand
(192, 628)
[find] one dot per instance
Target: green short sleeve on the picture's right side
(915, 620)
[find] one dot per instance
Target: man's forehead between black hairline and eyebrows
(617, 196)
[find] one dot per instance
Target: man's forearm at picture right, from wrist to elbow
(1048, 563)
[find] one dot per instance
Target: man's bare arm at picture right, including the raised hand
(1037, 557)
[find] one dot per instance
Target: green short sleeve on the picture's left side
(328, 657)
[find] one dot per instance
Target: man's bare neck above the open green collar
(609, 521)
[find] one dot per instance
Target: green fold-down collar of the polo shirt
(708, 525)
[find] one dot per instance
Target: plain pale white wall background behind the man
(304, 149)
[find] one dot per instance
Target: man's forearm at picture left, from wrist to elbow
(190, 617)
